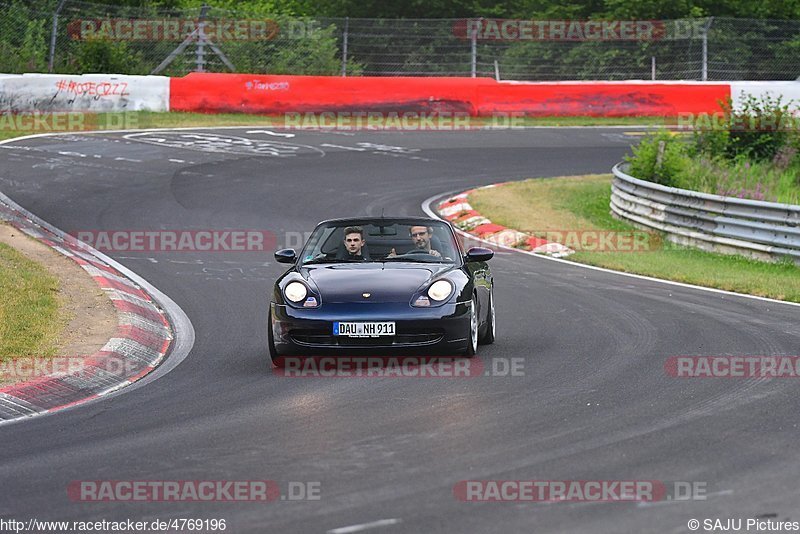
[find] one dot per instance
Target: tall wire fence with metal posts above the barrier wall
(69, 36)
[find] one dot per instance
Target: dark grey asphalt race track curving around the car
(594, 401)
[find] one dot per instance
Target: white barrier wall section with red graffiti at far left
(88, 93)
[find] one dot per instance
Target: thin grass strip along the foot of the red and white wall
(148, 119)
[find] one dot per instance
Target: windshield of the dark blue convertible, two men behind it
(379, 241)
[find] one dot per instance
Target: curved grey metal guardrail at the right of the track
(762, 230)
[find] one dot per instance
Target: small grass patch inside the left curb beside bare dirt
(29, 310)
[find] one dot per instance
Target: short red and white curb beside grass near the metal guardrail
(462, 215)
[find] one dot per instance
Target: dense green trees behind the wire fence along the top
(755, 49)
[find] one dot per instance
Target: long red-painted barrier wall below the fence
(275, 94)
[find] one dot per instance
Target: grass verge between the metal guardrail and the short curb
(582, 204)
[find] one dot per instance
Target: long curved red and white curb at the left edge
(143, 338)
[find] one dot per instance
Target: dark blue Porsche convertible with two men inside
(381, 284)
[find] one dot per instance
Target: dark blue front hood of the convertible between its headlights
(385, 282)
